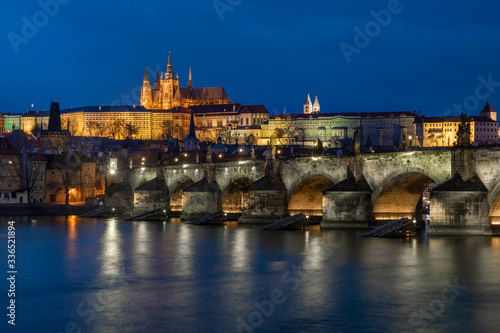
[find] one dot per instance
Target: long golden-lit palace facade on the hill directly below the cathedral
(210, 121)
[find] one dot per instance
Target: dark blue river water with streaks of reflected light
(91, 275)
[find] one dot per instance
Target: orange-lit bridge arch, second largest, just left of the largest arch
(306, 194)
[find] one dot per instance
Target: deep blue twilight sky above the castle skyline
(428, 57)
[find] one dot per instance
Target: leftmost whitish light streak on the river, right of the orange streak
(111, 250)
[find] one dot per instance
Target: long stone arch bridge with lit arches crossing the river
(342, 192)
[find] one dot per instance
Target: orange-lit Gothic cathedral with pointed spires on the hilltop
(167, 94)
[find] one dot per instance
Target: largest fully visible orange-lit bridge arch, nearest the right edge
(399, 195)
